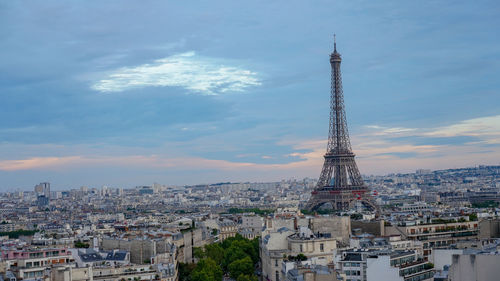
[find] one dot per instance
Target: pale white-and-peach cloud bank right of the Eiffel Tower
(379, 148)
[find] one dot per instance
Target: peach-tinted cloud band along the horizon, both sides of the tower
(377, 154)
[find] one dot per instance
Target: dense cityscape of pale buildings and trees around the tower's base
(431, 224)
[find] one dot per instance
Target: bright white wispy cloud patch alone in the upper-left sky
(187, 70)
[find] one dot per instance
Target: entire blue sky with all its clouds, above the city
(122, 93)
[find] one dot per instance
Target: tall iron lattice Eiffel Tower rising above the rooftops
(340, 182)
